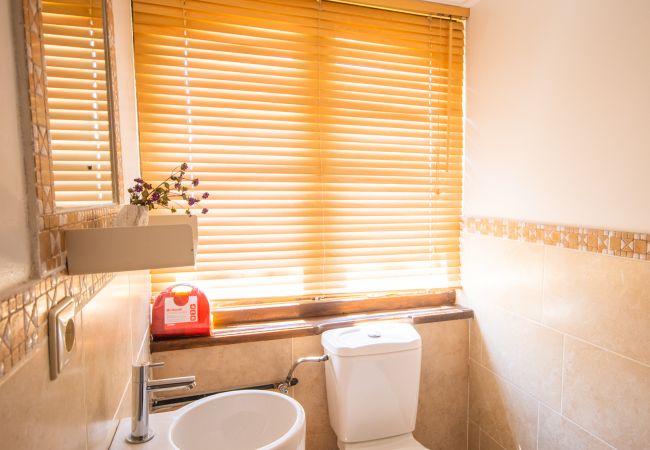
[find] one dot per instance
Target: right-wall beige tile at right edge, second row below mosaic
(607, 394)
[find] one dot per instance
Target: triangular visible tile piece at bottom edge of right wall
(557, 433)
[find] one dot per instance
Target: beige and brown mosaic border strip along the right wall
(607, 242)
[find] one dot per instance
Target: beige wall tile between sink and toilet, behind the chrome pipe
(312, 394)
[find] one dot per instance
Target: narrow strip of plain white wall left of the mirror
(15, 256)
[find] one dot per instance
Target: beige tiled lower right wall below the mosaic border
(559, 356)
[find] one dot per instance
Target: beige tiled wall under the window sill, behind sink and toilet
(442, 412)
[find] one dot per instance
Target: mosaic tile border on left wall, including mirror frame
(23, 312)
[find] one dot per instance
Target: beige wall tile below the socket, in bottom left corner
(37, 413)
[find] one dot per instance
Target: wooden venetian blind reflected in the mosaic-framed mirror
(73, 41)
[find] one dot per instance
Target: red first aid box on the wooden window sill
(181, 310)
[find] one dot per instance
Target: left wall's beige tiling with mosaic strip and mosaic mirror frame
(80, 409)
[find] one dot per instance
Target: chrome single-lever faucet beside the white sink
(143, 386)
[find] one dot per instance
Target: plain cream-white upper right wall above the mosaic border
(558, 112)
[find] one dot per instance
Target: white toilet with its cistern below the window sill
(373, 379)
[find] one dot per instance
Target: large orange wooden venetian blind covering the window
(328, 135)
